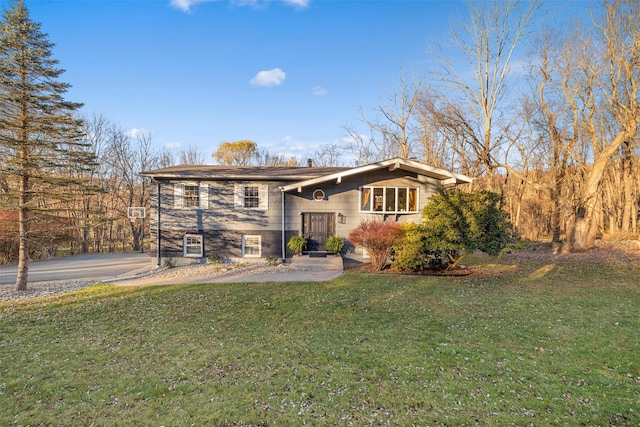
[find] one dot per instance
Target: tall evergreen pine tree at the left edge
(39, 137)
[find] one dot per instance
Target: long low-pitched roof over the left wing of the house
(282, 173)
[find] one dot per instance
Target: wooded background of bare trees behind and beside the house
(544, 115)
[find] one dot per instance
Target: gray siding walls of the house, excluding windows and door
(223, 226)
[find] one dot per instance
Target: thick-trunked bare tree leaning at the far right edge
(605, 83)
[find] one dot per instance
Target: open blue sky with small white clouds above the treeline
(288, 75)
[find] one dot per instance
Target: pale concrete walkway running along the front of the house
(297, 269)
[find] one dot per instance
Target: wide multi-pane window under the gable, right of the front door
(389, 199)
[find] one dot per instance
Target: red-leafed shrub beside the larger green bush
(378, 238)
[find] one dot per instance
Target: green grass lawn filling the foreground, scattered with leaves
(530, 344)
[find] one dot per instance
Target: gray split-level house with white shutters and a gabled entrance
(250, 212)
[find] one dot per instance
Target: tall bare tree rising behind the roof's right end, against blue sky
(475, 111)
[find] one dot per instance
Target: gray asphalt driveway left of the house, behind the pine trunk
(98, 267)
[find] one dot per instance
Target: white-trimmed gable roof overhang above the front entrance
(444, 176)
